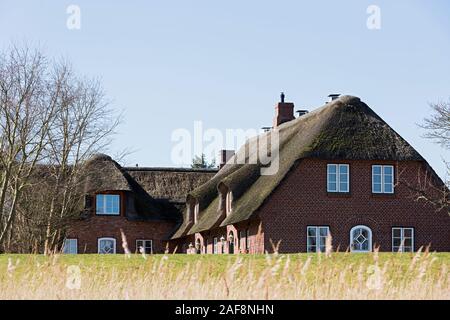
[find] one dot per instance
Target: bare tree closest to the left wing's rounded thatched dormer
(84, 126)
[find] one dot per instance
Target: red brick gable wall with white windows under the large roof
(301, 200)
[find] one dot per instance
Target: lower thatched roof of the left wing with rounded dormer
(153, 193)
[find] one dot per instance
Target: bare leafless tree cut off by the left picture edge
(27, 110)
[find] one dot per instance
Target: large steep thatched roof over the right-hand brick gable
(345, 128)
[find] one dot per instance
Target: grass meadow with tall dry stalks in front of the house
(420, 275)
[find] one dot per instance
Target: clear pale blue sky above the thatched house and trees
(169, 63)
